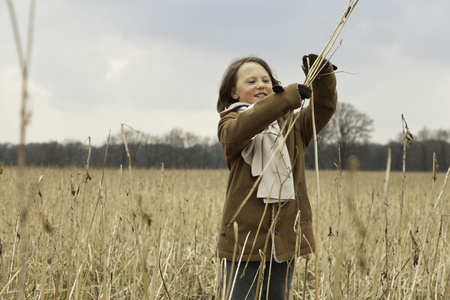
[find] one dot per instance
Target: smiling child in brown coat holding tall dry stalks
(274, 220)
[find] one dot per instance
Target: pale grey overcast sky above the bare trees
(157, 64)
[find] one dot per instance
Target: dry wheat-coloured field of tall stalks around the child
(152, 234)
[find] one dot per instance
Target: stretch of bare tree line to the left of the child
(177, 149)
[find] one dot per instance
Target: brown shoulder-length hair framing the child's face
(229, 80)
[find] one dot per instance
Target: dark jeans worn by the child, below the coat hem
(245, 288)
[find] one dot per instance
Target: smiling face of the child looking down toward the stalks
(252, 83)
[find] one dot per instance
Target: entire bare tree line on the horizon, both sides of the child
(347, 134)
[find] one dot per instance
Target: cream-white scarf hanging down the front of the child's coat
(277, 183)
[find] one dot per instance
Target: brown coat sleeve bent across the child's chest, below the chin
(235, 130)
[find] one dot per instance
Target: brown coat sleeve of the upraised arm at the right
(325, 101)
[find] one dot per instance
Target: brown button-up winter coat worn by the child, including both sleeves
(235, 130)
